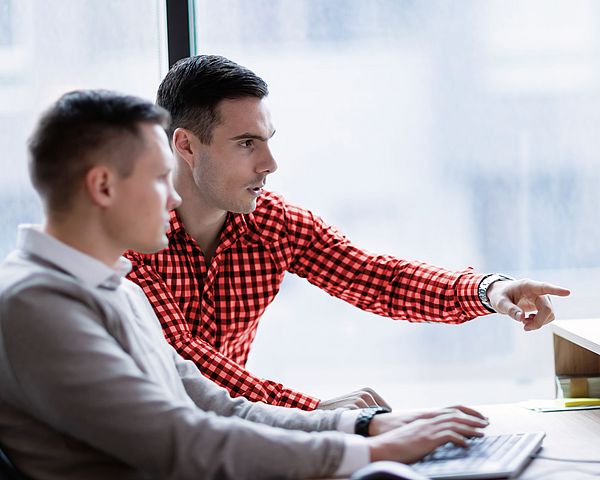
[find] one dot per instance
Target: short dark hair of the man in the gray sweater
(78, 129)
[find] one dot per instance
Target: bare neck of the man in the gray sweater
(85, 236)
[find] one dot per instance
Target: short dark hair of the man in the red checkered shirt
(194, 87)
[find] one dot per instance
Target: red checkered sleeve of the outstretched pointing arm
(381, 284)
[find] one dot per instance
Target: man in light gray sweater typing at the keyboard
(89, 388)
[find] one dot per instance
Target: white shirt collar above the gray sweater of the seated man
(90, 271)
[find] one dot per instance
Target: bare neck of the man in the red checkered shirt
(202, 221)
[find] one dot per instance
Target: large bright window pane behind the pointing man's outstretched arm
(460, 133)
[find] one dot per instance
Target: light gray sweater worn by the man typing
(89, 389)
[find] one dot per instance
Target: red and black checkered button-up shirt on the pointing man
(210, 313)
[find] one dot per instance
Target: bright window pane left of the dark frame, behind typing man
(48, 47)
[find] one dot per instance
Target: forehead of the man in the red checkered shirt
(248, 114)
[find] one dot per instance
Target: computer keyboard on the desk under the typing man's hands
(486, 457)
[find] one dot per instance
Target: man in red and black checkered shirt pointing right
(231, 242)
